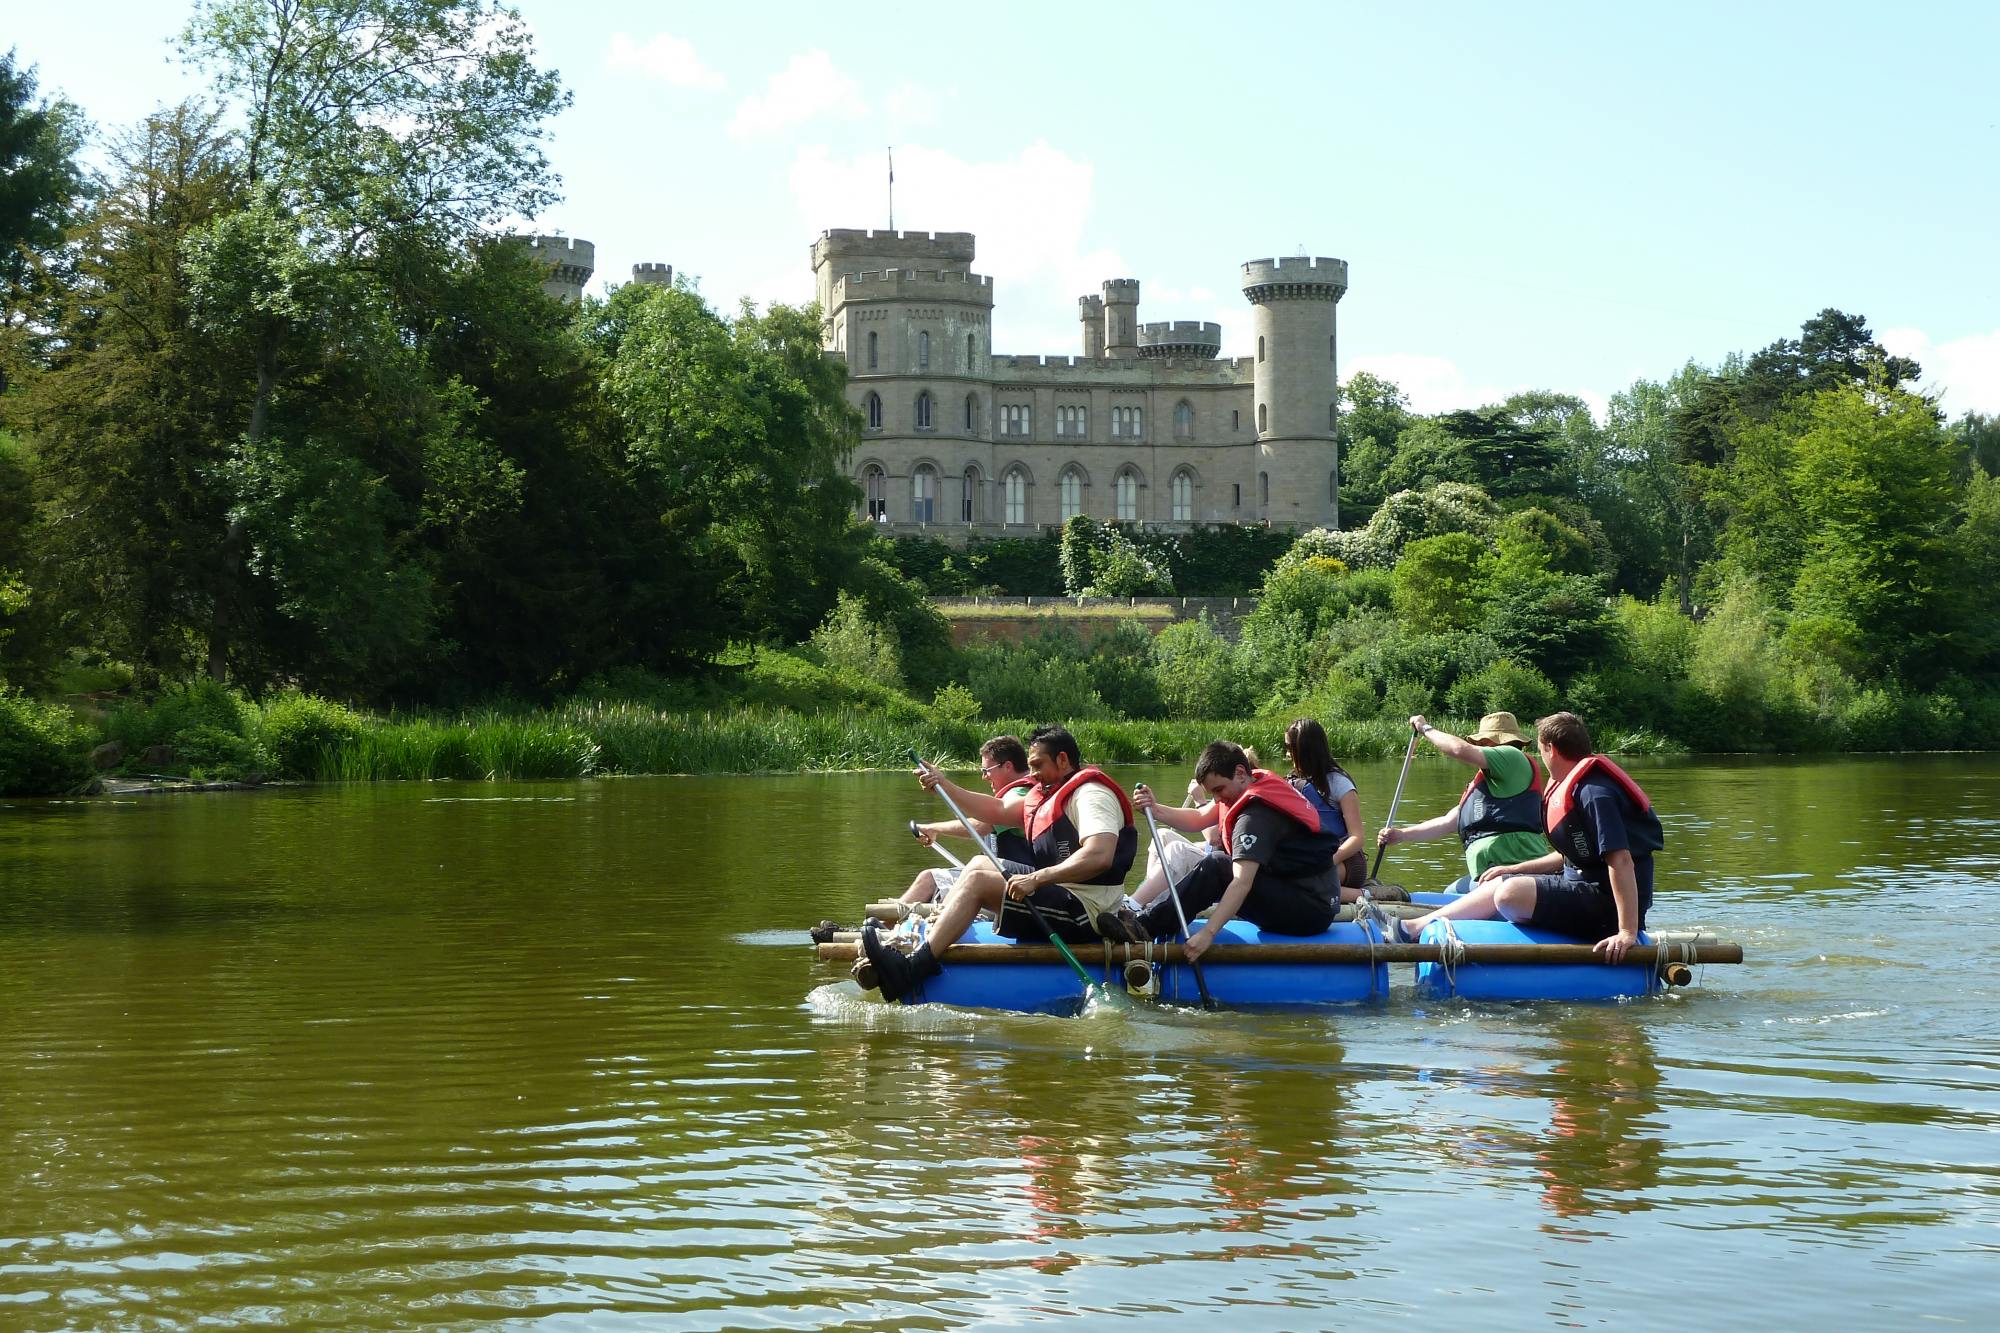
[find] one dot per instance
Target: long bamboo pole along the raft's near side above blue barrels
(1639, 956)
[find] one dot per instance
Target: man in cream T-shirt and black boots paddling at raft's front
(1081, 842)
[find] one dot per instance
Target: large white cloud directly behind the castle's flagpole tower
(1031, 215)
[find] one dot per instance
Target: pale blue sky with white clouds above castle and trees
(1529, 197)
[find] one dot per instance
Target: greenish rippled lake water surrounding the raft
(559, 1056)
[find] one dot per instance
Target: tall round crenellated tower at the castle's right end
(1297, 389)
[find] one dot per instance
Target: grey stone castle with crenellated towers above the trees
(1149, 425)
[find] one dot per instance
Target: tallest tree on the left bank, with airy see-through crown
(375, 137)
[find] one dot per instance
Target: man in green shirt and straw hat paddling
(1501, 814)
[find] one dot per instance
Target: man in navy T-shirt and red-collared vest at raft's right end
(1599, 884)
